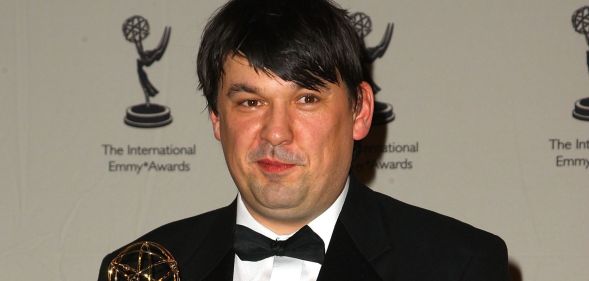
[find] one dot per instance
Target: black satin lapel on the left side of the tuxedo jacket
(213, 258)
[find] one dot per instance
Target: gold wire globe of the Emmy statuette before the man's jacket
(144, 261)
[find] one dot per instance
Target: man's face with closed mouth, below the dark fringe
(288, 148)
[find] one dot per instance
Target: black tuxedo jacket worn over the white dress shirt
(375, 238)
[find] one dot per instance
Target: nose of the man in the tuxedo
(277, 128)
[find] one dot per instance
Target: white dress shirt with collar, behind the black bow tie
(285, 268)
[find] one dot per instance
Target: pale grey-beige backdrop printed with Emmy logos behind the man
(482, 94)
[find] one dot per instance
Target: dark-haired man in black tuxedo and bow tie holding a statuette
(289, 93)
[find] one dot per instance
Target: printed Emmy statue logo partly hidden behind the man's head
(383, 112)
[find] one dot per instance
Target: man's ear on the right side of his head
(363, 111)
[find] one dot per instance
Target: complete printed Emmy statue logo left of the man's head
(148, 114)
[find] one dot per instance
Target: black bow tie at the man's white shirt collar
(252, 246)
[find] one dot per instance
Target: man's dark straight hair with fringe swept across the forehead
(308, 42)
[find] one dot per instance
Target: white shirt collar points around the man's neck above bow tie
(323, 225)
